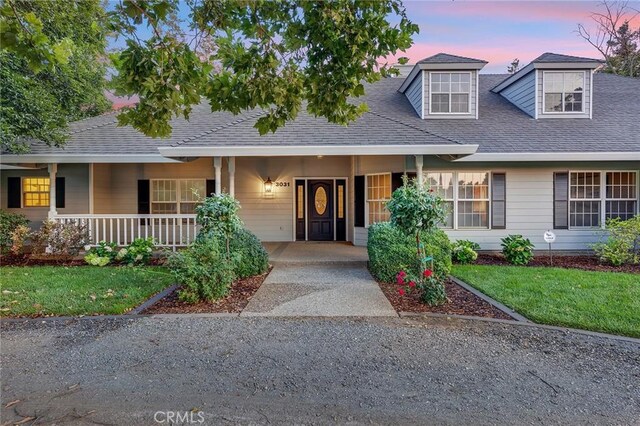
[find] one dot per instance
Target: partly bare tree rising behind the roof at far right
(614, 38)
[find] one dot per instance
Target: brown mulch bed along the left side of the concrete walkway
(237, 299)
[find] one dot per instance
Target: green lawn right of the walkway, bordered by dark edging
(599, 301)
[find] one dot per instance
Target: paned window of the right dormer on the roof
(563, 91)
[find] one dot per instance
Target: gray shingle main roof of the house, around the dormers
(501, 127)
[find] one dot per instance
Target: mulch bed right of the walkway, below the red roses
(460, 302)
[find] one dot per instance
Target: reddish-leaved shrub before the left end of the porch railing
(58, 238)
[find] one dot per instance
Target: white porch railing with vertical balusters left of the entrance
(168, 230)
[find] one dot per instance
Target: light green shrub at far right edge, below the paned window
(623, 242)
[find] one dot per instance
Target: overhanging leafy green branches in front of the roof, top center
(269, 55)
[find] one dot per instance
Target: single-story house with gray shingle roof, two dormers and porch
(553, 146)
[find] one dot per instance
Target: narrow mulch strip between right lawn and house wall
(586, 262)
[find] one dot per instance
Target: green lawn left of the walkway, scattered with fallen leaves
(85, 290)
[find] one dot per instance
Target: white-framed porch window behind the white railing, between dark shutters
(172, 196)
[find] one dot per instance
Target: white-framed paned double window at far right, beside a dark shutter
(595, 196)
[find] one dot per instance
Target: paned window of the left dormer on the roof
(450, 92)
